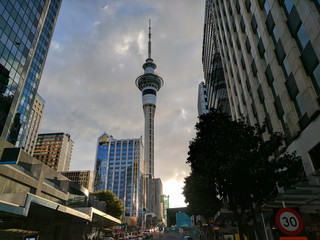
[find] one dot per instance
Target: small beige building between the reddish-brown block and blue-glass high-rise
(84, 178)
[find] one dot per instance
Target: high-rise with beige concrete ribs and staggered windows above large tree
(270, 53)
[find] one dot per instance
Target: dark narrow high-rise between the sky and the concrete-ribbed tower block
(216, 91)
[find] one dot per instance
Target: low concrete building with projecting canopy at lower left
(36, 202)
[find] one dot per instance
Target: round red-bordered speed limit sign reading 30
(289, 221)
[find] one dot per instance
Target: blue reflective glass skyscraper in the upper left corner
(26, 29)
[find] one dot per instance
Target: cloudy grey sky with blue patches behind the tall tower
(96, 53)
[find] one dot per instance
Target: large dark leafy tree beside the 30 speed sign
(239, 164)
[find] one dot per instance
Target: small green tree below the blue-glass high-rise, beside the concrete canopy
(114, 205)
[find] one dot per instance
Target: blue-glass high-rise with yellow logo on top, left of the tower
(119, 168)
